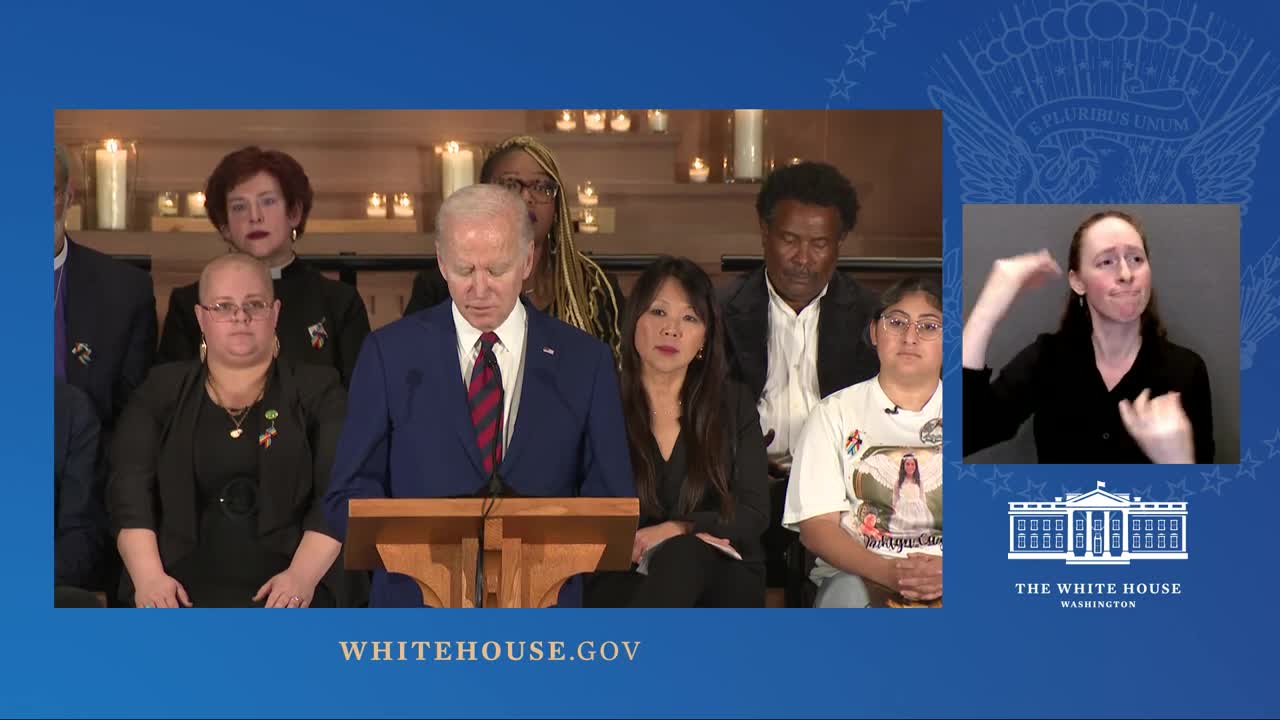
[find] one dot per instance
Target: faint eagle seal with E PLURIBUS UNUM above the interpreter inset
(1113, 102)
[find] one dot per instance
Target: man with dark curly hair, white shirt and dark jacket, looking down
(797, 330)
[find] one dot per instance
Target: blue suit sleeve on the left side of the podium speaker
(360, 467)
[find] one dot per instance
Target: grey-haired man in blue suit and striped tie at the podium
(441, 398)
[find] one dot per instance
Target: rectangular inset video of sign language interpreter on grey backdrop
(1045, 390)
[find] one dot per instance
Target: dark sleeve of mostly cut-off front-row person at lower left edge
(80, 541)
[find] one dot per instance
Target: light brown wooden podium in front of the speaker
(532, 545)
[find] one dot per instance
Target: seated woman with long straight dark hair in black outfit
(697, 450)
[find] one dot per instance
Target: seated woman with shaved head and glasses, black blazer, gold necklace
(220, 467)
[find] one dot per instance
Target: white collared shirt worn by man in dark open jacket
(792, 384)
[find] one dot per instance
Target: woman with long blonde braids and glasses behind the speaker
(565, 282)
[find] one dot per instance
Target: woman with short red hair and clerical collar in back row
(259, 202)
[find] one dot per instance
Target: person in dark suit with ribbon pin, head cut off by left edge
(104, 316)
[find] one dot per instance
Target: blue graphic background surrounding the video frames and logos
(988, 653)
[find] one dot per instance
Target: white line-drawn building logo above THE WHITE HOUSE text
(1098, 528)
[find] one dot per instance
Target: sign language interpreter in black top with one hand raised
(1108, 386)
